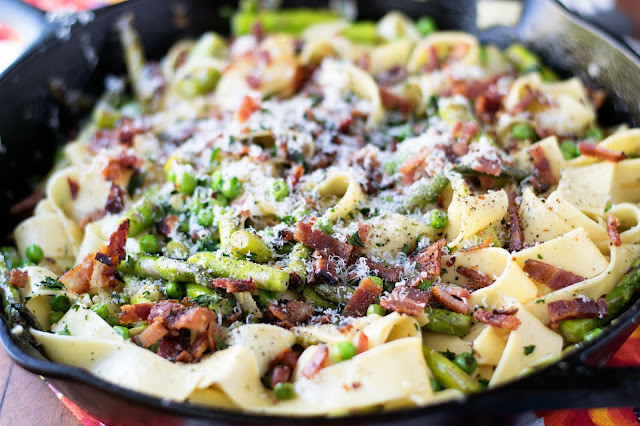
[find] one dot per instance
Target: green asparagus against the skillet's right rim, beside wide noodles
(575, 330)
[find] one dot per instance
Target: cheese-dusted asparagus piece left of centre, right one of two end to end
(266, 277)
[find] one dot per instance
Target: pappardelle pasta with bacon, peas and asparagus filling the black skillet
(319, 216)
